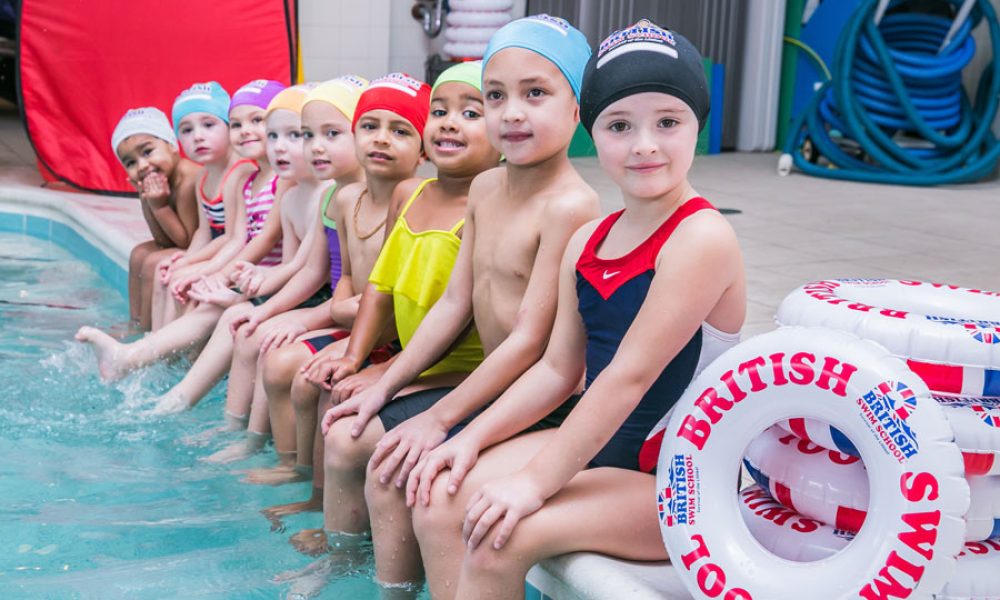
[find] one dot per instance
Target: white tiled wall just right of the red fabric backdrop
(365, 37)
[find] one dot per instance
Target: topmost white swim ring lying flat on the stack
(949, 335)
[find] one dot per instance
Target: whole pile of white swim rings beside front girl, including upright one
(870, 424)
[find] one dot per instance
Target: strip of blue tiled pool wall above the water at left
(53, 229)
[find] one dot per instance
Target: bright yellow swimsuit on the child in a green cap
(415, 267)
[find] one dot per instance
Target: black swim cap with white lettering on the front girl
(643, 58)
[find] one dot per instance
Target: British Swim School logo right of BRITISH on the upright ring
(887, 409)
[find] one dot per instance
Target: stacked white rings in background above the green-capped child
(471, 24)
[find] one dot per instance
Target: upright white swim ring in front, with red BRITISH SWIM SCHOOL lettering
(829, 376)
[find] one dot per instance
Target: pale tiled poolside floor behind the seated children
(792, 229)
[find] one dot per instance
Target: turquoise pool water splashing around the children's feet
(98, 500)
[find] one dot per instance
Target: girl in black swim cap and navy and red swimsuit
(647, 296)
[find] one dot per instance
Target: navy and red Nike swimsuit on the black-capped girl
(611, 292)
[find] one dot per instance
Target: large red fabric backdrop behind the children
(82, 64)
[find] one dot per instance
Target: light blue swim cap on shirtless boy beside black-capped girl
(552, 37)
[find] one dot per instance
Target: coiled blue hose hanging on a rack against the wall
(889, 78)
